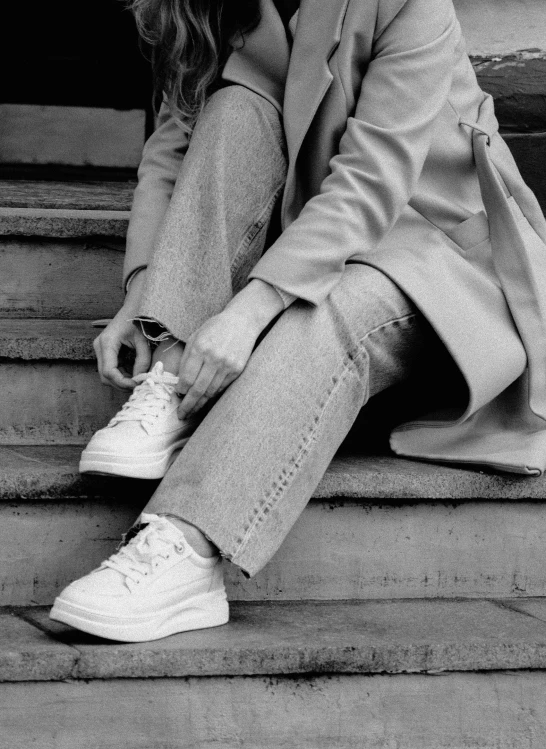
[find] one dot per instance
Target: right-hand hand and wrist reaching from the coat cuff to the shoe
(217, 353)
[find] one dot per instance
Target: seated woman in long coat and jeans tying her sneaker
(409, 247)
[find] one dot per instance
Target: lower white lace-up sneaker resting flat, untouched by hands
(152, 587)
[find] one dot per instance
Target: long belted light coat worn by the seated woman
(395, 161)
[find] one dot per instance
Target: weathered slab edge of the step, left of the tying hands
(47, 339)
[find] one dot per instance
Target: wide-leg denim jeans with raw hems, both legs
(252, 465)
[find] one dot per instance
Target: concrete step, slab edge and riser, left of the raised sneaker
(48, 377)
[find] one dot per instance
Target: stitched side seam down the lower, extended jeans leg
(283, 482)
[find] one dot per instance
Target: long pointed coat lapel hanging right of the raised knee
(317, 35)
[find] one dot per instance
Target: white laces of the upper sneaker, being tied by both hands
(148, 399)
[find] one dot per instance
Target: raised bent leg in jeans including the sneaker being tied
(213, 234)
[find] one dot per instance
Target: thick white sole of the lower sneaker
(199, 612)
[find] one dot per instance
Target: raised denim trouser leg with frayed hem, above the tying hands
(216, 225)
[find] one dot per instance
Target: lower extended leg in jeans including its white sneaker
(250, 468)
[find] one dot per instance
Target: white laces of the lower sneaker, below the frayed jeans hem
(140, 556)
